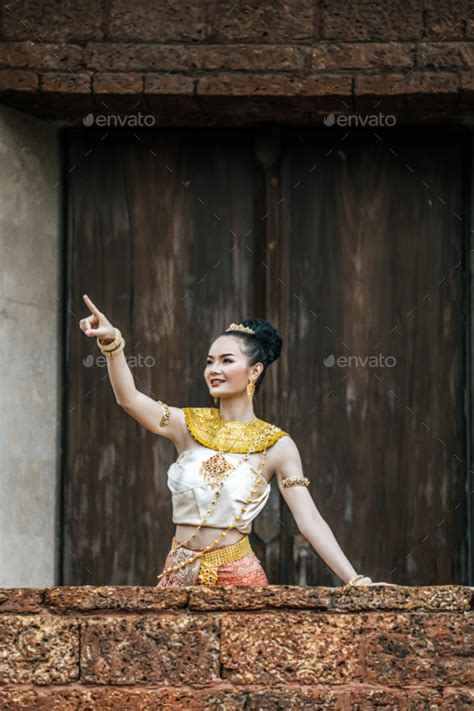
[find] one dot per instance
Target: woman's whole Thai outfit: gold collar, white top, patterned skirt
(196, 476)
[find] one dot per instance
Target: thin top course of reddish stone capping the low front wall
(123, 598)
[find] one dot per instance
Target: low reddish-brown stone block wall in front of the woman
(236, 648)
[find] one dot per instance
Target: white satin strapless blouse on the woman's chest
(192, 496)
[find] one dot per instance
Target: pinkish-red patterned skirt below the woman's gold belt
(245, 571)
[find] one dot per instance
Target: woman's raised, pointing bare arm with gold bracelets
(148, 412)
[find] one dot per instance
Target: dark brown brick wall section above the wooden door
(237, 61)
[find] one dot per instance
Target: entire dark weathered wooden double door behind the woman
(353, 246)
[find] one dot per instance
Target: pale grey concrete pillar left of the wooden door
(30, 349)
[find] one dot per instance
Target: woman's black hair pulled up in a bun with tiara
(263, 346)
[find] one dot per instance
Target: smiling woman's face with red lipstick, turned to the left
(228, 364)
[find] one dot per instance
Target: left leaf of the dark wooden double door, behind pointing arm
(158, 236)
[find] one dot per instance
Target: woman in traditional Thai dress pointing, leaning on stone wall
(216, 497)
